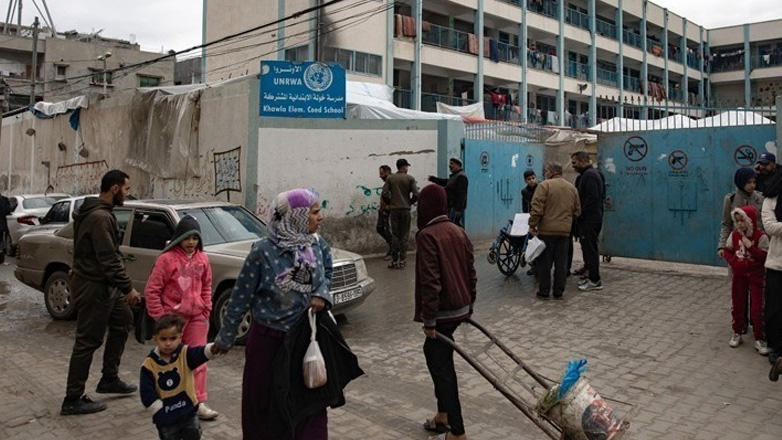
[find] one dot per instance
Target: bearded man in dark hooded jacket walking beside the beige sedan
(102, 293)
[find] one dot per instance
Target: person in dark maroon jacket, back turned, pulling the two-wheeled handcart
(445, 289)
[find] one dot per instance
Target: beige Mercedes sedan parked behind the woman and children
(228, 231)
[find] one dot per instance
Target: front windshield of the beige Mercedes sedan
(226, 224)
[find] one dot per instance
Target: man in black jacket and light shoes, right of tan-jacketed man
(591, 192)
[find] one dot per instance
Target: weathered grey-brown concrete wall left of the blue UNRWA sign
(36, 162)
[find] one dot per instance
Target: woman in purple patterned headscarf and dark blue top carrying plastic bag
(283, 275)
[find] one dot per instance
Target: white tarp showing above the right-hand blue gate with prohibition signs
(730, 118)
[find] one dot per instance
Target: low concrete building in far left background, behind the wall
(71, 64)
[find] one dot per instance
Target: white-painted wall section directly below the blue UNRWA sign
(340, 159)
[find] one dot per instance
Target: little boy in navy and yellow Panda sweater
(167, 386)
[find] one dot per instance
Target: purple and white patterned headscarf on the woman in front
(288, 220)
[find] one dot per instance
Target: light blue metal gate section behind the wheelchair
(495, 170)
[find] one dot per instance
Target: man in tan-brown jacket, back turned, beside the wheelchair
(554, 206)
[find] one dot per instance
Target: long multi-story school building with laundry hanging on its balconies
(545, 61)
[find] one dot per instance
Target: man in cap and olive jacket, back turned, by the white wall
(399, 193)
